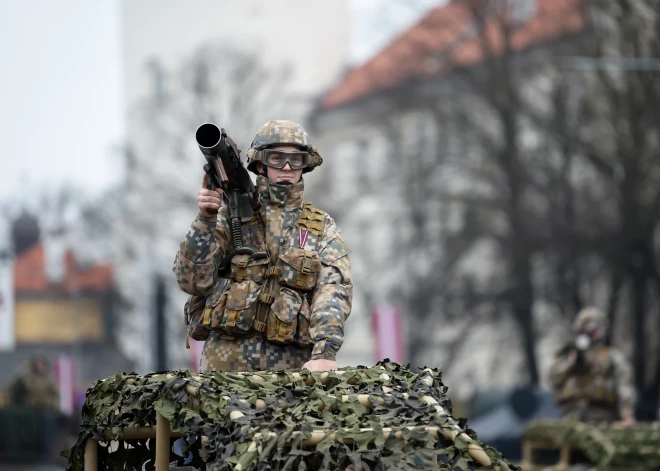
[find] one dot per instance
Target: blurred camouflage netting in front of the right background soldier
(605, 444)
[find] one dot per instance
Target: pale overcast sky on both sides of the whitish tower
(61, 106)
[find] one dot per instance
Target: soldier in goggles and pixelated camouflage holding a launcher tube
(284, 311)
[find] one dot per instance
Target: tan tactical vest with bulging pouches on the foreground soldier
(265, 296)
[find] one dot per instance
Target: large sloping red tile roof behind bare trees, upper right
(408, 56)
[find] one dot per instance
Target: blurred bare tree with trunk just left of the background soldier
(495, 117)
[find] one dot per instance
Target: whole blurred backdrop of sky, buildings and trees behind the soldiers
(493, 164)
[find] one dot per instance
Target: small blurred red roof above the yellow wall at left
(30, 274)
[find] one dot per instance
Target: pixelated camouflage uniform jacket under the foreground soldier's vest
(275, 230)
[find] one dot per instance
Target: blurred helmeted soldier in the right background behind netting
(591, 380)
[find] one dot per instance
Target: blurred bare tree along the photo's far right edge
(620, 141)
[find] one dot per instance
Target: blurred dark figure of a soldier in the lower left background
(34, 388)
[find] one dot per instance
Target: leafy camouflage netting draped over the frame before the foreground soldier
(385, 417)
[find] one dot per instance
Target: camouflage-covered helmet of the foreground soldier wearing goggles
(281, 132)
